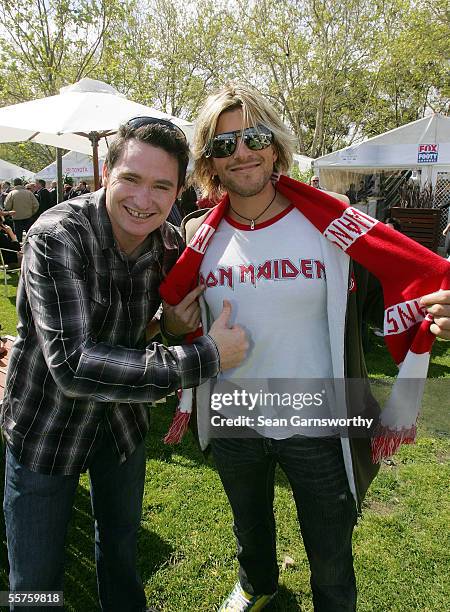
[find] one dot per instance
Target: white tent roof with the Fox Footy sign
(422, 146)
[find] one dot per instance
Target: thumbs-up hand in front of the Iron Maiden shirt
(231, 342)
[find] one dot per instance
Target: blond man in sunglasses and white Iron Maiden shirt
(264, 256)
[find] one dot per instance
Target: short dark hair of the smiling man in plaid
(156, 134)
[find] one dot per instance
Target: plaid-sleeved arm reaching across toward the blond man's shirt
(60, 300)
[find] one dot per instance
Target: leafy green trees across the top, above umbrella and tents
(336, 72)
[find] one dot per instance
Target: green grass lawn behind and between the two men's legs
(186, 547)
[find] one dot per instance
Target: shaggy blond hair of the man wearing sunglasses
(255, 110)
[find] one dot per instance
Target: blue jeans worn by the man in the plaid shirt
(37, 510)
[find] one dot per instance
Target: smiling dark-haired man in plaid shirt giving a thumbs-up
(82, 373)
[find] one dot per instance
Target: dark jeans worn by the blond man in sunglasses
(325, 508)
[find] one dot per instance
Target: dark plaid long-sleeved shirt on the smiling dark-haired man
(80, 363)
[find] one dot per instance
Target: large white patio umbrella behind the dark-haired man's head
(77, 119)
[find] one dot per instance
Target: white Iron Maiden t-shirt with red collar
(275, 279)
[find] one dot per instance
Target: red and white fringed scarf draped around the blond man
(405, 269)
